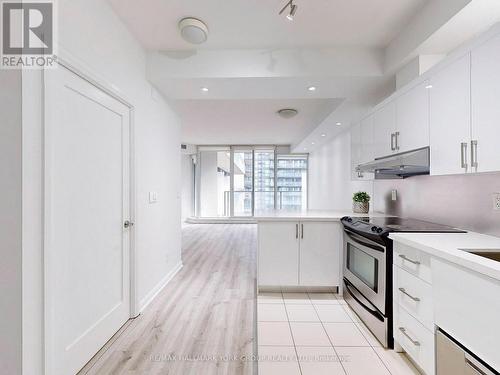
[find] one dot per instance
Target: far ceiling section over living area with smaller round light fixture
(249, 121)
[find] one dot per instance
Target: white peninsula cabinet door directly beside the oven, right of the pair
(320, 246)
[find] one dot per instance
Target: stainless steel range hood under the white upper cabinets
(405, 164)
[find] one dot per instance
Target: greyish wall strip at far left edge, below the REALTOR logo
(10, 222)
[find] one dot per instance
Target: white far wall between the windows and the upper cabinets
(330, 185)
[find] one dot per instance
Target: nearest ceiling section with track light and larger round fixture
(242, 24)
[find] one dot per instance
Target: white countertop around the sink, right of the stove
(447, 246)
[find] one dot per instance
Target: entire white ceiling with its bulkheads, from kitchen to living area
(256, 61)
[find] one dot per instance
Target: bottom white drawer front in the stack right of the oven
(416, 340)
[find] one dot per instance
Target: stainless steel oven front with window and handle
(365, 284)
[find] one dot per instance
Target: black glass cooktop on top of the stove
(398, 224)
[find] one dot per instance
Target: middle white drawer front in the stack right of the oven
(415, 296)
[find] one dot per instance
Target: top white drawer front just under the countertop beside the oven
(413, 261)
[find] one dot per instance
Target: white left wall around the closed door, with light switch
(94, 39)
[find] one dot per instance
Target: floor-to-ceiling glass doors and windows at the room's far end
(245, 181)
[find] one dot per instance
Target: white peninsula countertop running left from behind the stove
(309, 215)
